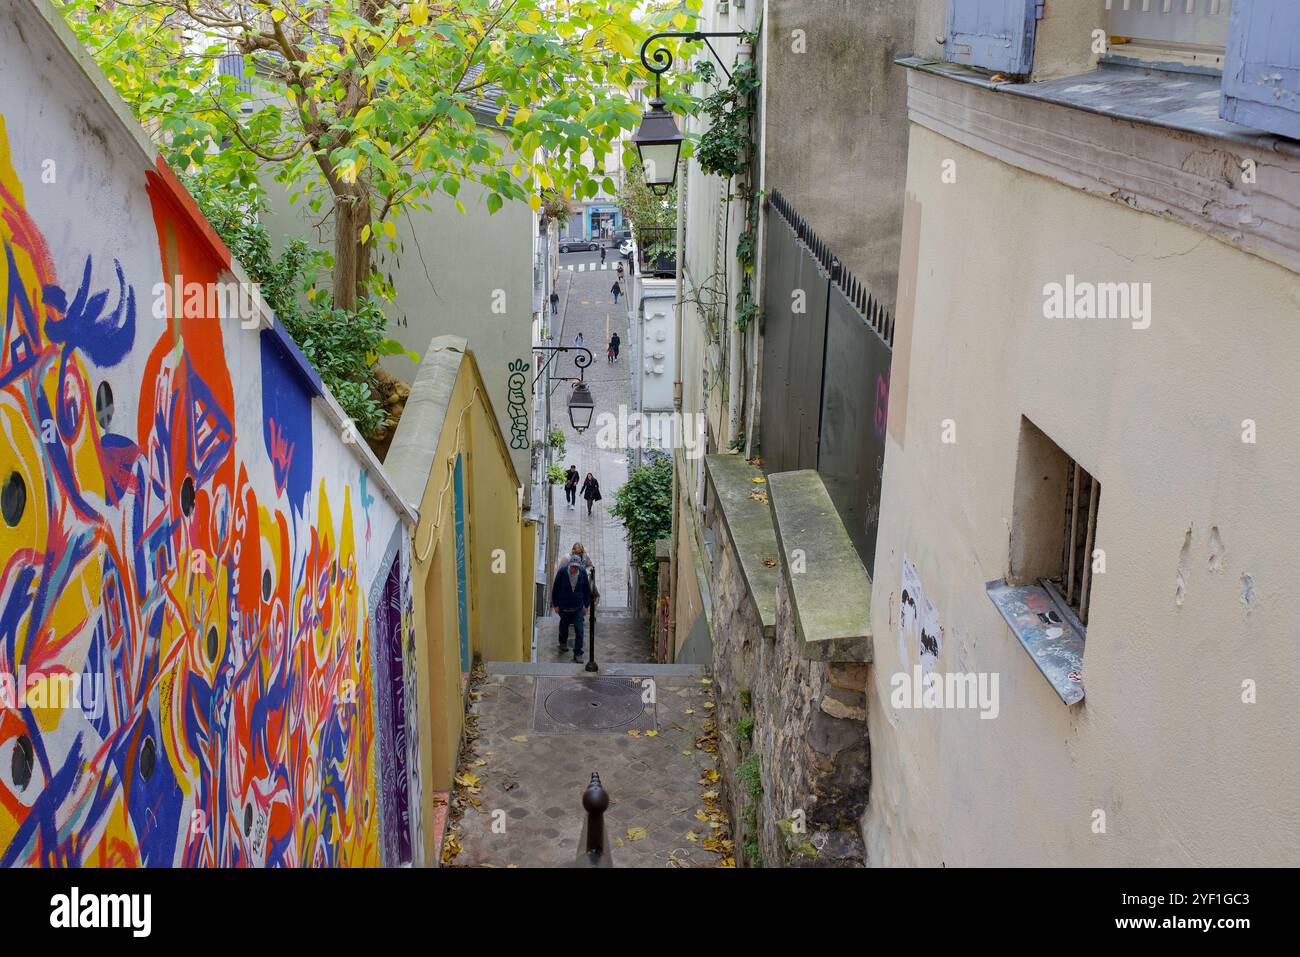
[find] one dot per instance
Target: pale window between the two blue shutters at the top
(1181, 36)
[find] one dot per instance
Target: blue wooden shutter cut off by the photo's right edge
(1262, 71)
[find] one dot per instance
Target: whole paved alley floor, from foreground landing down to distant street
(536, 731)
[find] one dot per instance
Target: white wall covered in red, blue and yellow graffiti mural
(188, 548)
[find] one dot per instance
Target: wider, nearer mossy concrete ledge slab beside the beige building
(830, 590)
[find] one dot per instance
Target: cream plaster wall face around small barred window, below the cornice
(1185, 772)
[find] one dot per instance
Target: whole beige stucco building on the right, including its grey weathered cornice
(1181, 750)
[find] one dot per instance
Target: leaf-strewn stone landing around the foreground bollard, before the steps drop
(519, 791)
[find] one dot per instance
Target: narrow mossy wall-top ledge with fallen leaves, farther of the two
(749, 523)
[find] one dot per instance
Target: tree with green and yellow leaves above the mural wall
(367, 110)
